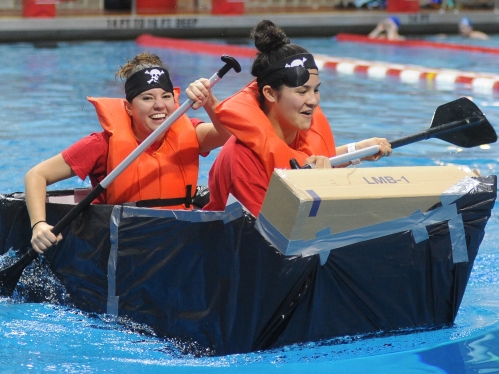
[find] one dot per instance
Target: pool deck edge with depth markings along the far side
(102, 25)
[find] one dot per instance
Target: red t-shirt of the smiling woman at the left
(88, 156)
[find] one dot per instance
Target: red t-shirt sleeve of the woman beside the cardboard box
(237, 170)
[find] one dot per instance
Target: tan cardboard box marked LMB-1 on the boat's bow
(303, 205)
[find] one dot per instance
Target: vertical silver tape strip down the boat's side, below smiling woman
(112, 262)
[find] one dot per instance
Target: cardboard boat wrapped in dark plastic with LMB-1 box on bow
(332, 253)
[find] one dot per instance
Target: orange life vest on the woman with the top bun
(242, 116)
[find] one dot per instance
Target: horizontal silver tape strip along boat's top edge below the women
(232, 212)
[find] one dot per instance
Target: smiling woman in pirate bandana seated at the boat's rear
(164, 175)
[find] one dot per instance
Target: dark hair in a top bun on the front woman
(273, 45)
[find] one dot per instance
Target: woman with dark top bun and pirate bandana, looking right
(274, 119)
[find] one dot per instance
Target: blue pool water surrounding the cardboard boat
(44, 109)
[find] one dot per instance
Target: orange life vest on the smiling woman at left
(164, 174)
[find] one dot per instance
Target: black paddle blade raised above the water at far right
(466, 136)
